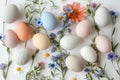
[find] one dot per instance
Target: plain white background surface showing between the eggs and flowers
(12, 75)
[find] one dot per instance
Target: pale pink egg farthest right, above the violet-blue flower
(103, 44)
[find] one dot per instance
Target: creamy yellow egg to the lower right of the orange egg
(41, 41)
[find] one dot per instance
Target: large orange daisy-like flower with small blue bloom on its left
(75, 12)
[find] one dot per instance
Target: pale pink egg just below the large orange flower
(84, 28)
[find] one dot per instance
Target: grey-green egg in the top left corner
(11, 13)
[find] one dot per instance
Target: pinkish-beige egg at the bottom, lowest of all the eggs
(74, 63)
